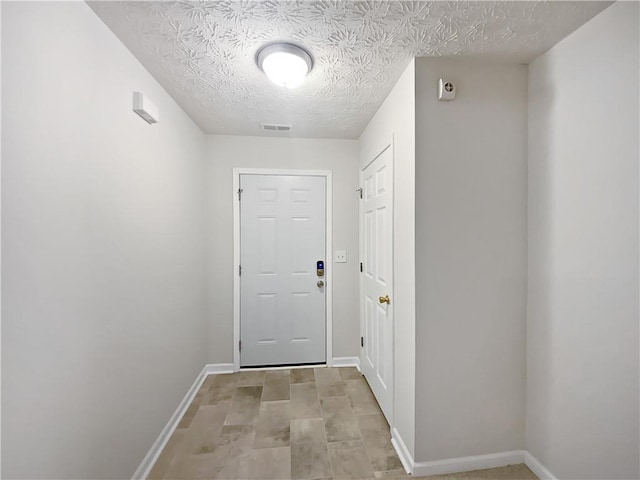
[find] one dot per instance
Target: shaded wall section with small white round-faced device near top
(470, 259)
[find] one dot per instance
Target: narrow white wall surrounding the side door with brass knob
(396, 118)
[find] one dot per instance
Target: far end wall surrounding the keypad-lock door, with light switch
(341, 157)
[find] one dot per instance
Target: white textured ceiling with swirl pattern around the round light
(203, 53)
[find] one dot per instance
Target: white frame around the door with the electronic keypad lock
(328, 275)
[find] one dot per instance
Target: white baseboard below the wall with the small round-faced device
(466, 464)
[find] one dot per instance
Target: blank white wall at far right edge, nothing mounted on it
(582, 331)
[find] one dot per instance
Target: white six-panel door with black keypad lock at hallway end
(282, 237)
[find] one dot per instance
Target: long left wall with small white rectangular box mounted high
(102, 240)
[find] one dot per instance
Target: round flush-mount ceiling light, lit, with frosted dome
(285, 64)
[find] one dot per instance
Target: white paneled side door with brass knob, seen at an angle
(377, 278)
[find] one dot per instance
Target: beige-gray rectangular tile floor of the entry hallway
(321, 423)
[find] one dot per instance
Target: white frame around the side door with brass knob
(372, 156)
